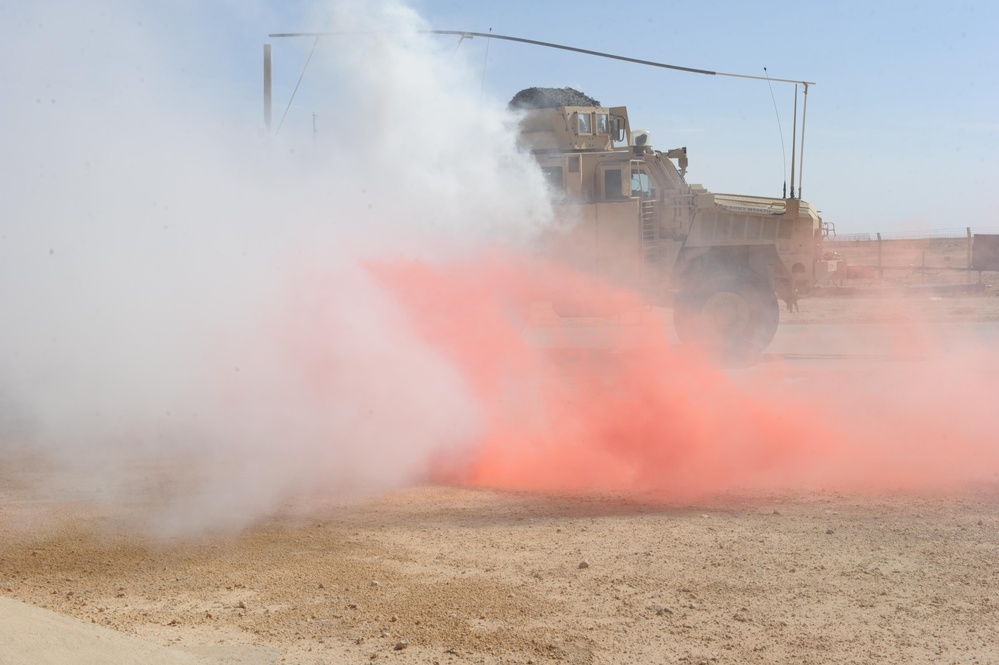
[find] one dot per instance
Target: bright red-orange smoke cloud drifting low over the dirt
(659, 419)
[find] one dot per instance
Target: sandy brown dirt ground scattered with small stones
(438, 574)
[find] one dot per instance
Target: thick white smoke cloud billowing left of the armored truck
(184, 311)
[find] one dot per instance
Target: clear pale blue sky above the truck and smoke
(902, 125)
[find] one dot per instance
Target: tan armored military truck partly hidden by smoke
(628, 215)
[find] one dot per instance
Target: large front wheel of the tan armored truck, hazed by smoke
(734, 318)
